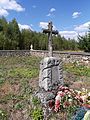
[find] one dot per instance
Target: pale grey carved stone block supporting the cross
(50, 73)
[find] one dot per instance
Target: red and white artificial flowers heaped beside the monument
(68, 97)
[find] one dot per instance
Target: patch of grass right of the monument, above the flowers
(77, 75)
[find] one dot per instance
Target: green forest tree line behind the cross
(12, 38)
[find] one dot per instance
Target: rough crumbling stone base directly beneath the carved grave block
(47, 97)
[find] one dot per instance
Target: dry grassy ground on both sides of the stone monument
(19, 79)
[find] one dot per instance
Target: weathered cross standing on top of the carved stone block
(50, 31)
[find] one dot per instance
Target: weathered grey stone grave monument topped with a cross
(51, 76)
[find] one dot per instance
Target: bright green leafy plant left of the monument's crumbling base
(37, 114)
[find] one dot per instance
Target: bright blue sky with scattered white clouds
(69, 17)
